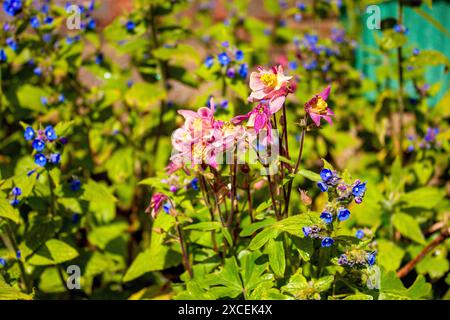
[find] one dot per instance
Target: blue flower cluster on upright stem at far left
(44, 142)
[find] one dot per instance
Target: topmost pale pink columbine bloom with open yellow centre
(271, 85)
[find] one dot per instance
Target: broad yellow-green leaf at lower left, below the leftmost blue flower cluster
(53, 252)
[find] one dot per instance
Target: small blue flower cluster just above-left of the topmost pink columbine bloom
(225, 60)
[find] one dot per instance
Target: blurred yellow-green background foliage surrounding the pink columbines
(114, 86)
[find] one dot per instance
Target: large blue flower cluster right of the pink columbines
(340, 195)
